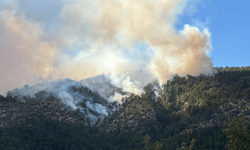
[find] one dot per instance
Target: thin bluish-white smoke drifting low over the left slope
(72, 94)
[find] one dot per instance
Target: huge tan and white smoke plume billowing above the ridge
(133, 41)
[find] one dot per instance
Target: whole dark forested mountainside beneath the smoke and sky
(184, 108)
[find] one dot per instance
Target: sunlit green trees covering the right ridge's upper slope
(187, 95)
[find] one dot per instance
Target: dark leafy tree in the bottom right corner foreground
(237, 133)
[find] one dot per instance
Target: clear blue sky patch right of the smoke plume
(229, 23)
